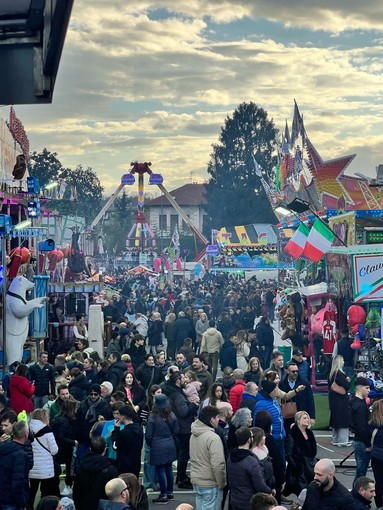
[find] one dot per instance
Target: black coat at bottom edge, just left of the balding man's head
(93, 474)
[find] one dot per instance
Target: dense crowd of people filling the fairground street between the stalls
(218, 399)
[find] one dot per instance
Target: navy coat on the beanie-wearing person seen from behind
(160, 436)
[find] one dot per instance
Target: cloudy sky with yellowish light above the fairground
(154, 81)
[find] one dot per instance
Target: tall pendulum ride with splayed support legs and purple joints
(141, 237)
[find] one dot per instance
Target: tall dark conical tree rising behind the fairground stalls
(234, 193)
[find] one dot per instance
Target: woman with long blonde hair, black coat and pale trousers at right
(339, 385)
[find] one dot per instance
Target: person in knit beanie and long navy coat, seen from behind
(161, 436)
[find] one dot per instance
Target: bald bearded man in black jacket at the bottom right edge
(325, 492)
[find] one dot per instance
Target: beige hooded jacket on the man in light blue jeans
(207, 459)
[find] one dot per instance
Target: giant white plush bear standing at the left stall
(17, 311)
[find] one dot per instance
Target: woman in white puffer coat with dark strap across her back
(44, 447)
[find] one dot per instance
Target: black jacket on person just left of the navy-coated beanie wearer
(128, 444)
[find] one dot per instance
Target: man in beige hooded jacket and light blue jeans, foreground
(207, 460)
